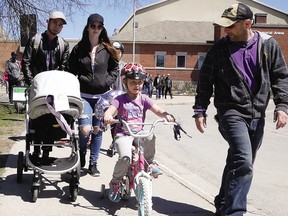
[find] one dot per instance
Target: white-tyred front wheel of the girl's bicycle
(144, 196)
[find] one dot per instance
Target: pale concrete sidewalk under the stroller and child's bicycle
(53, 200)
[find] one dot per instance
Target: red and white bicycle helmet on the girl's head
(133, 71)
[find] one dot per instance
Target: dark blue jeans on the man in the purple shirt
(244, 137)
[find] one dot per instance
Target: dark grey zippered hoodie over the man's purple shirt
(232, 95)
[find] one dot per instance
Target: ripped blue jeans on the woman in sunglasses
(86, 118)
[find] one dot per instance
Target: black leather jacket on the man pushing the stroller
(34, 58)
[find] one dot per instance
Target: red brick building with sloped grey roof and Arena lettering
(173, 36)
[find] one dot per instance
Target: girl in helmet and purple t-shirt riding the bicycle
(132, 107)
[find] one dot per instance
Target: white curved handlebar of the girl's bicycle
(153, 125)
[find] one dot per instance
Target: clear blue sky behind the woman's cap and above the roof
(114, 18)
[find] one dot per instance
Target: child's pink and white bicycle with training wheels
(139, 176)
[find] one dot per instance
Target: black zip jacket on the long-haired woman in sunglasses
(100, 79)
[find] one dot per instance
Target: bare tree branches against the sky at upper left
(13, 10)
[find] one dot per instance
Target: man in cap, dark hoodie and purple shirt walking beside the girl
(241, 68)
